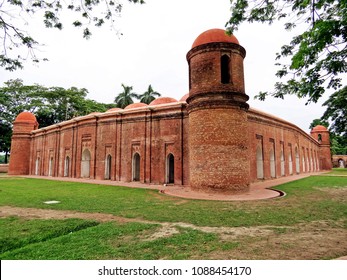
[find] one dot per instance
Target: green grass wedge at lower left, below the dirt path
(114, 241)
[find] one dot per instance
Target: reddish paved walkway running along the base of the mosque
(258, 190)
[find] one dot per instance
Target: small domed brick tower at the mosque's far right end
(322, 135)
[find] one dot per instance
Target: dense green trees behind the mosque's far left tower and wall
(50, 105)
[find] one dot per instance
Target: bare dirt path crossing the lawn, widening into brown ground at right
(313, 240)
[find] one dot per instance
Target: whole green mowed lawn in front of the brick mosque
(316, 199)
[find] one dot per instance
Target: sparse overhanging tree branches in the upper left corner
(15, 16)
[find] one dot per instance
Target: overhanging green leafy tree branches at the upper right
(318, 55)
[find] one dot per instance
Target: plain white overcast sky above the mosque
(156, 38)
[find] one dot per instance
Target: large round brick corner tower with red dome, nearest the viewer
(217, 108)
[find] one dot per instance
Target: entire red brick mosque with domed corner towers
(209, 140)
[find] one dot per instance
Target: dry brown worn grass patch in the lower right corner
(315, 240)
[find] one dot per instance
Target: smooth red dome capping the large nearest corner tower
(214, 36)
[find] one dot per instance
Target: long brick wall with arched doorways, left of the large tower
(113, 139)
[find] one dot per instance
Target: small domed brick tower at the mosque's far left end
(20, 143)
